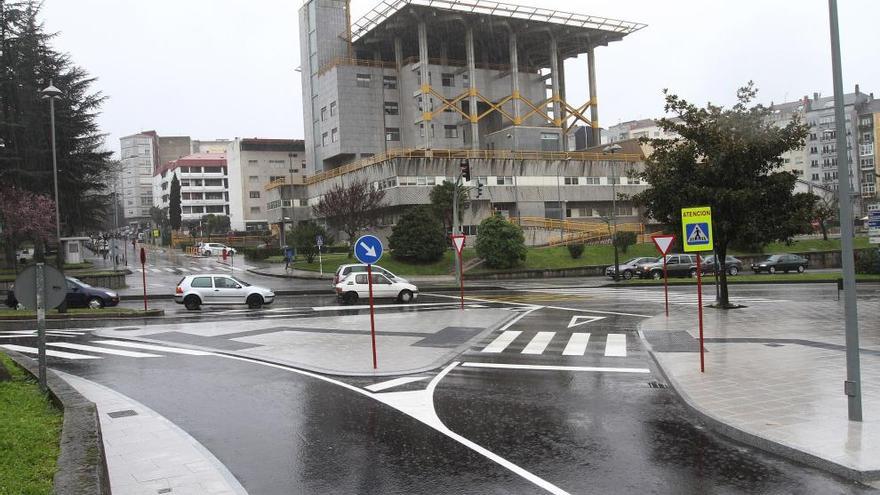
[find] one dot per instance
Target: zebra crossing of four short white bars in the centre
(538, 343)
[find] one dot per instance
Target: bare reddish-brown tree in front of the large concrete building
(350, 209)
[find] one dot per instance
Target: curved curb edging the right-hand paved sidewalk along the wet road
(719, 426)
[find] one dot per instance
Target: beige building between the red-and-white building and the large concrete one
(254, 163)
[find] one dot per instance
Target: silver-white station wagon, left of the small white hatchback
(193, 291)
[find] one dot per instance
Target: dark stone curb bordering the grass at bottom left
(82, 464)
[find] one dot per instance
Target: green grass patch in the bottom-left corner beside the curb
(30, 431)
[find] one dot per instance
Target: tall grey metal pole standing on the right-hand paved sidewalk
(852, 385)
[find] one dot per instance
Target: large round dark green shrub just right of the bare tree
(418, 236)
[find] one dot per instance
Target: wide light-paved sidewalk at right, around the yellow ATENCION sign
(774, 378)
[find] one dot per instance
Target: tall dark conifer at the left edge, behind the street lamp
(29, 63)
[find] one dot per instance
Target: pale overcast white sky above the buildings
(225, 68)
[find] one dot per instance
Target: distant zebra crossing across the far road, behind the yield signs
(654, 295)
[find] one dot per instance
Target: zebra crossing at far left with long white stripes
(98, 349)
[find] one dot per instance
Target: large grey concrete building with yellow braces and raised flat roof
(400, 96)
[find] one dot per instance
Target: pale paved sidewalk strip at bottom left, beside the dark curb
(147, 454)
